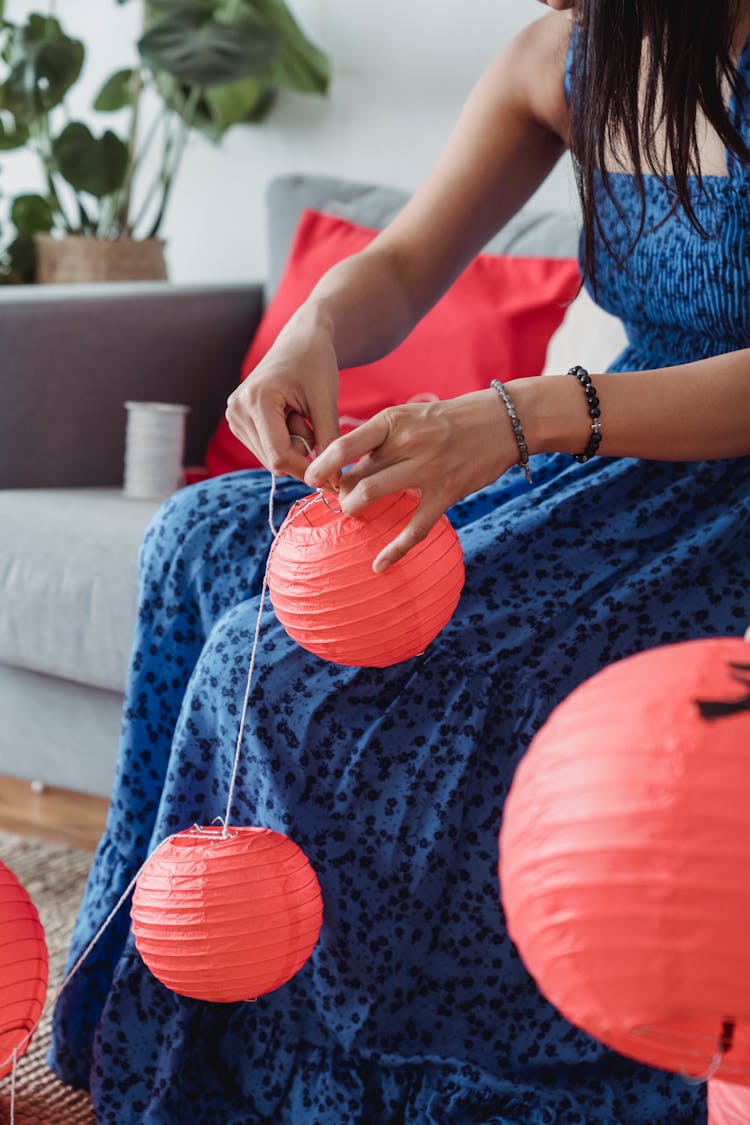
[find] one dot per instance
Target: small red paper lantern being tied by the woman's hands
(328, 598)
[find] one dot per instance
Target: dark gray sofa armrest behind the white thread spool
(70, 357)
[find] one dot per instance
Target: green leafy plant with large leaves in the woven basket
(206, 65)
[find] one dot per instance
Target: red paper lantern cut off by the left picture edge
(23, 969)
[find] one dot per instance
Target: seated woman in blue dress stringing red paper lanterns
(415, 1006)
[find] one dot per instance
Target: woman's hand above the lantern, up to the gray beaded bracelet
(444, 451)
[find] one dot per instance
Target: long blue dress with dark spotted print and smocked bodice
(415, 1007)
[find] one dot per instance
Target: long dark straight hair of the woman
(618, 102)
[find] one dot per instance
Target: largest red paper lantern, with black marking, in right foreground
(626, 852)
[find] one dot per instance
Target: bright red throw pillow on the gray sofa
(494, 322)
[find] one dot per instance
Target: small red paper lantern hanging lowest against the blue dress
(229, 917)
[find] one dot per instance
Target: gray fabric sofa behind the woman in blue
(69, 538)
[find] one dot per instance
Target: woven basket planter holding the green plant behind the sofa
(80, 259)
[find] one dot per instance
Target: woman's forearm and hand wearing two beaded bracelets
(447, 451)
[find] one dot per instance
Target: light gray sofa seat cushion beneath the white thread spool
(69, 582)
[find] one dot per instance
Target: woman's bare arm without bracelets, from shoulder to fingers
(510, 136)
